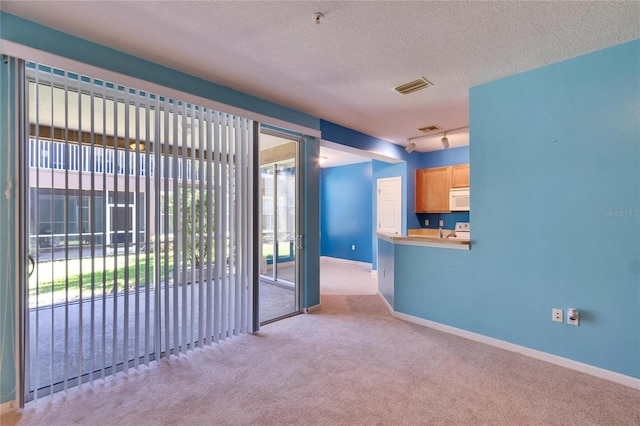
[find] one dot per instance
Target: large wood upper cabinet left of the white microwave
(432, 190)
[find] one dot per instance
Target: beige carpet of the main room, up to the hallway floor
(351, 363)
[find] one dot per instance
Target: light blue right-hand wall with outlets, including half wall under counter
(555, 155)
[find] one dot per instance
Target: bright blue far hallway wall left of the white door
(345, 218)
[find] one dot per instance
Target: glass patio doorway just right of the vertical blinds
(279, 227)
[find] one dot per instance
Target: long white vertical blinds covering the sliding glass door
(139, 223)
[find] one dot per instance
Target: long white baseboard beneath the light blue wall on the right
(612, 376)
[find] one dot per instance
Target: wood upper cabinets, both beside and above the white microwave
(432, 187)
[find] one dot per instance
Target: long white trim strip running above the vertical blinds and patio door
(27, 53)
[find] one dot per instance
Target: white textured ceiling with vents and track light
(344, 69)
